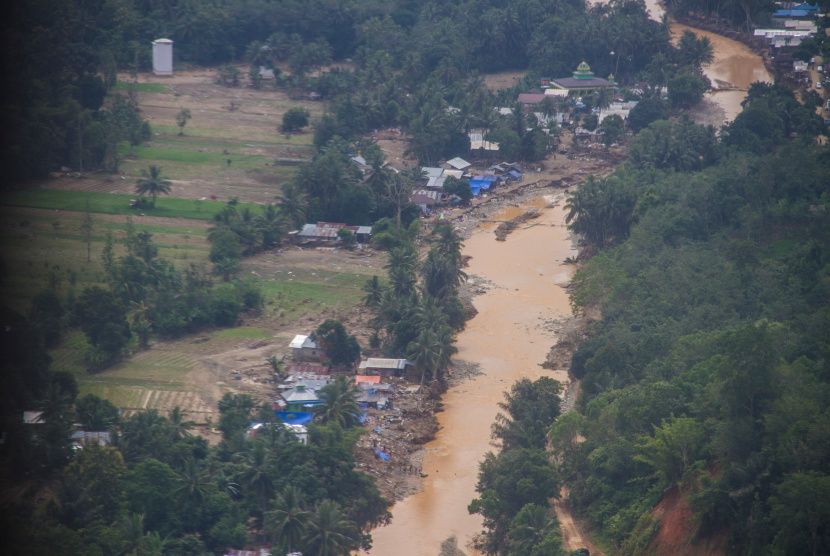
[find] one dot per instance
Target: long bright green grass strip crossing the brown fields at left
(113, 203)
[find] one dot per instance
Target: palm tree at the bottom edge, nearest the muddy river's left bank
(329, 532)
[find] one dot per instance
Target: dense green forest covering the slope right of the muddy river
(708, 372)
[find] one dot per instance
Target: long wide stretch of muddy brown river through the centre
(509, 339)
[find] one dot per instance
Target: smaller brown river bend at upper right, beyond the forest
(735, 64)
